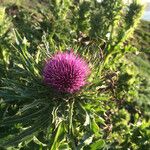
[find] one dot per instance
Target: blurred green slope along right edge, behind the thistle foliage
(142, 61)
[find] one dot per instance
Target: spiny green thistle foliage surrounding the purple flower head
(111, 112)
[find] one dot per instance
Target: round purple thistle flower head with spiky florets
(66, 72)
